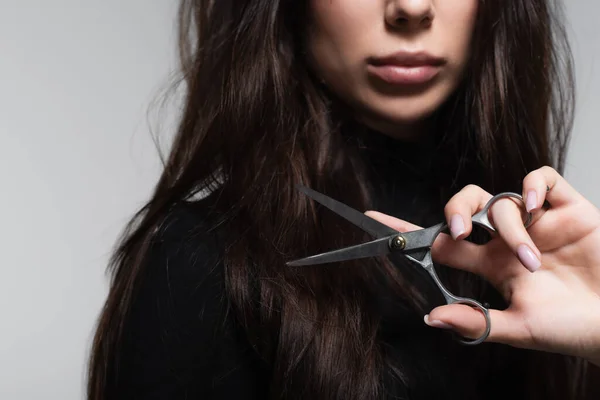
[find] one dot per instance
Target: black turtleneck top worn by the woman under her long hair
(175, 346)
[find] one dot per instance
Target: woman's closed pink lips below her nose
(406, 68)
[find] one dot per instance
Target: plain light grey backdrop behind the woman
(76, 160)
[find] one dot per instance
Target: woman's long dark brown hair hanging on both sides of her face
(256, 123)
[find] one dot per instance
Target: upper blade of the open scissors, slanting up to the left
(368, 224)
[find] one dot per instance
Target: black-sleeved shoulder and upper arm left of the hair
(179, 338)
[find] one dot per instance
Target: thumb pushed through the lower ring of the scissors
(506, 326)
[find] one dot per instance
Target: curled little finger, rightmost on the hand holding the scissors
(547, 184)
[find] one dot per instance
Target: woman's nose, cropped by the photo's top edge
(409, 14)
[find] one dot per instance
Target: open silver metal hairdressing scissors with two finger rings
(414, 245)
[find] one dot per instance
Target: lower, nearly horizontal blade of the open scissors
(375, 248)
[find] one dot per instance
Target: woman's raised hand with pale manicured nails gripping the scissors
(549, 273)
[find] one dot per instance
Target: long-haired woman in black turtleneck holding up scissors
(420, 110)
